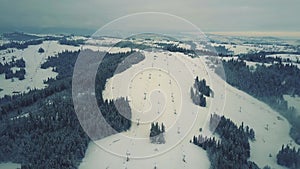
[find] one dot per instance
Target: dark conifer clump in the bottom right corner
(289, 157)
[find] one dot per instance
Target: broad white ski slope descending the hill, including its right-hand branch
(271, 129)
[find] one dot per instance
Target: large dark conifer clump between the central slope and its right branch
(233, 150)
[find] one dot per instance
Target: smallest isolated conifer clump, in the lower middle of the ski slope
(157, 133)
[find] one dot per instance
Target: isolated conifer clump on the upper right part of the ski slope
(199, 91)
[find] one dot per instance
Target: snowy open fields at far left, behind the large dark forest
(35, 76)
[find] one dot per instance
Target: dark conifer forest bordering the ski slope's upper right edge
(268, 84)
